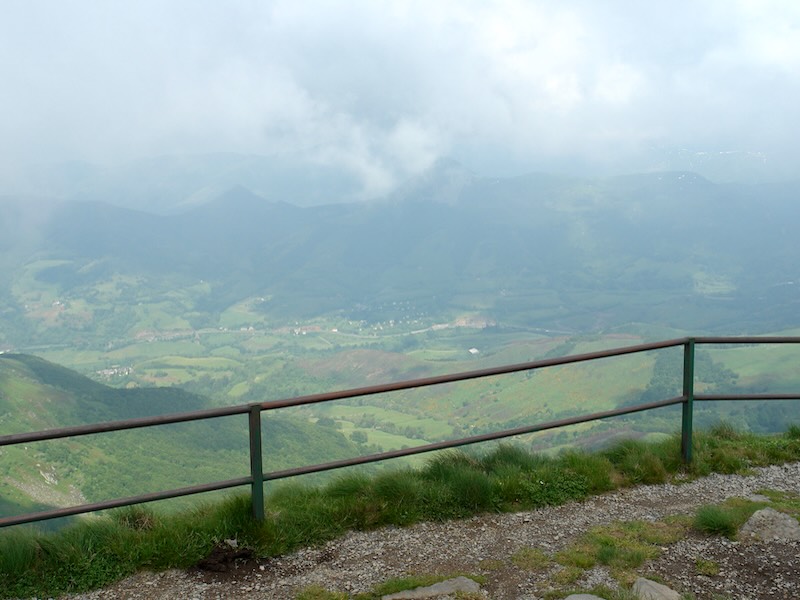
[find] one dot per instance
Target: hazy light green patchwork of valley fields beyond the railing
(256, 365)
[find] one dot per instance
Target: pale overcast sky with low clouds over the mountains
(381, 89)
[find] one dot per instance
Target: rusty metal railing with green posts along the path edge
(257, 477)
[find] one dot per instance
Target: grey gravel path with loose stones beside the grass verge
(484, 546)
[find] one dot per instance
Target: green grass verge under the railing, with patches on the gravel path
(452, 484)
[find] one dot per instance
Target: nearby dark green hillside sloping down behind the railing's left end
(36, 394)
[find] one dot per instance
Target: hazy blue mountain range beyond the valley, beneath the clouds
(539, 250)
